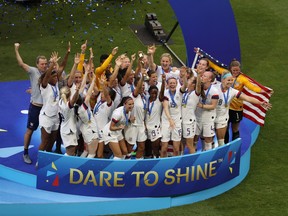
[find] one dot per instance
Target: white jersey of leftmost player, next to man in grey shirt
(50, 96)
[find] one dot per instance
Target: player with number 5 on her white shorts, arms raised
(189, 104)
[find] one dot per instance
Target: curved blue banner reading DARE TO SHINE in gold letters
(138, 178)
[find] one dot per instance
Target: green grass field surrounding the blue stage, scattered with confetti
(263, 31)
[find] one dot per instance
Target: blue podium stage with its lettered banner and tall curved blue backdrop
(77, 186)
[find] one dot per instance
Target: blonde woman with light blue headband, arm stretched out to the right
(226, 94)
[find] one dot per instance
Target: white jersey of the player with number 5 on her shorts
(189, 105)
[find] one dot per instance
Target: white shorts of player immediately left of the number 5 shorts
(171, 134)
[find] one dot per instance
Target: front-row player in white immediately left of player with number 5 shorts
(171, 127)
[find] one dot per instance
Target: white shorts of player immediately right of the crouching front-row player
(134, 134)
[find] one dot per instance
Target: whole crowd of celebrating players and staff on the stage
(130, 110)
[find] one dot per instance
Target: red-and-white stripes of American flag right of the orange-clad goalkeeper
(256, 113)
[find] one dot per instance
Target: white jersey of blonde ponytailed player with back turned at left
(67, 113)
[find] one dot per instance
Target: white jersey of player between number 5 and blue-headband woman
(204, 115)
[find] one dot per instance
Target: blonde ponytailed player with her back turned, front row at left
(68, 125)
